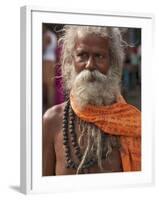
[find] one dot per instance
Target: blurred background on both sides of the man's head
(52, 81)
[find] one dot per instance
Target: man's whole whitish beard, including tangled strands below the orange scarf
(95, 88)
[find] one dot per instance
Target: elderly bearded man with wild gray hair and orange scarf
(94, 130)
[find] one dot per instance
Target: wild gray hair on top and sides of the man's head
(68, 40)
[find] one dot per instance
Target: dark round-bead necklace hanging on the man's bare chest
(69, 127)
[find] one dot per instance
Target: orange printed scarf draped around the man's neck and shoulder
(120, 119)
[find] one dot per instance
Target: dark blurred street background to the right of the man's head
(131, 79)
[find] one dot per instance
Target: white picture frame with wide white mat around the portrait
(31, 101)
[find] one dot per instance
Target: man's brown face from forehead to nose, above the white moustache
(91, 53)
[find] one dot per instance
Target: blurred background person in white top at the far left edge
(49, 61)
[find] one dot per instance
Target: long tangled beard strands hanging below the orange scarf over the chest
(94, 145)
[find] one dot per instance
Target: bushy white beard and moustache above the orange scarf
(95, 88)
